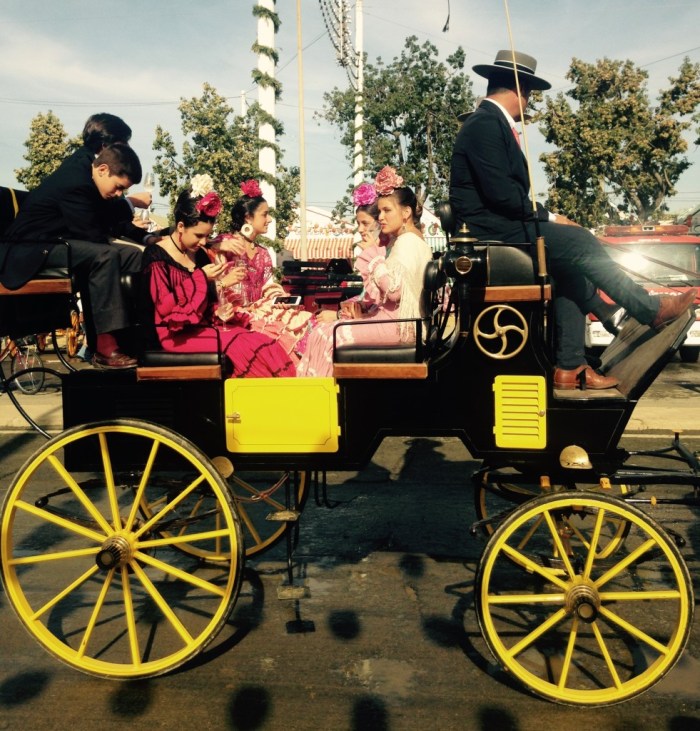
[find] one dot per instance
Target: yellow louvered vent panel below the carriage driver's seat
(521, 412)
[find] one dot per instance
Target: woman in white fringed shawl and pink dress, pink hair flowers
(392, 282)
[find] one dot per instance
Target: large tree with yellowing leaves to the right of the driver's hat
(617, 154)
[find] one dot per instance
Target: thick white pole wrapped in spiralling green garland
(267, 160)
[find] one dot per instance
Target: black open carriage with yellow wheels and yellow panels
(167, 476)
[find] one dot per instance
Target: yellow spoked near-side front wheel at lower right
(570, 626)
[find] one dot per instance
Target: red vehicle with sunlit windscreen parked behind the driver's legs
(665, 259)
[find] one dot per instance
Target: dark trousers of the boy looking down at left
(98, 268)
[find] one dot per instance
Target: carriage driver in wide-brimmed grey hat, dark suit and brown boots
(489, 191)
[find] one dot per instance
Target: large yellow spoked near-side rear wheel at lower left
(99, 587)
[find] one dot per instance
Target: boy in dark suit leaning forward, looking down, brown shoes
(81, 202)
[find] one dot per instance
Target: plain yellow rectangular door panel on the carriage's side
(281, 415)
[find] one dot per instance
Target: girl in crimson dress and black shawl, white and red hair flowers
(180, 293)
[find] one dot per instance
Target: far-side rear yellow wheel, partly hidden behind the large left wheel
(259, 497)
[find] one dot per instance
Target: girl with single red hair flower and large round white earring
(249, 283)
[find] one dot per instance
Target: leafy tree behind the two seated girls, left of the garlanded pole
(225, 145)
